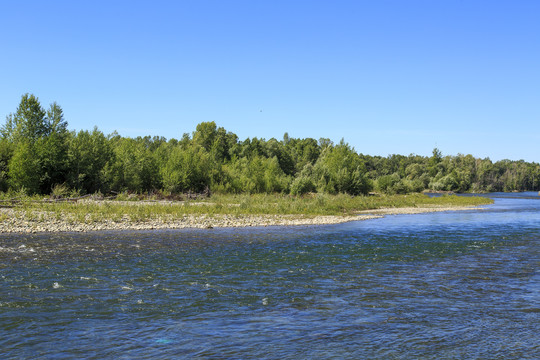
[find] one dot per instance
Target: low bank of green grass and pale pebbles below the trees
(39, 215)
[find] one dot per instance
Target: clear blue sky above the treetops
(390, 77)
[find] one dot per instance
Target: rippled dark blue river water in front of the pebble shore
(453, 285)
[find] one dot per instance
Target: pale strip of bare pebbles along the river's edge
(16, 221)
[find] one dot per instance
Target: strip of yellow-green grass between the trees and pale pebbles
(235, 205)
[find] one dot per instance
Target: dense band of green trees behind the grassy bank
(39, 155)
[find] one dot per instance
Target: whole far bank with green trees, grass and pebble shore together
(55, 179)
